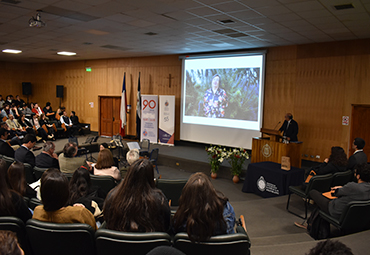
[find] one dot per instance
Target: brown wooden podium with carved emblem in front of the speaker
(273, 149)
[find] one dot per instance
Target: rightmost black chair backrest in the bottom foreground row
(236, 244)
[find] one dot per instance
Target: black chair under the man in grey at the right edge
(355, 217)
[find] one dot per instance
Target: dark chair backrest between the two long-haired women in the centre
(172, 189)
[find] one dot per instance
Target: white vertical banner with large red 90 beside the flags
(149, 118)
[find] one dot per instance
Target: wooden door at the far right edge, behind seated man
(360, 126)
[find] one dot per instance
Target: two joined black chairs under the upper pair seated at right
(321, 183)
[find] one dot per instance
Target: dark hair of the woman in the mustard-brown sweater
(54, 190)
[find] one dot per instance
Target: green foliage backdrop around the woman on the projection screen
(241, 86)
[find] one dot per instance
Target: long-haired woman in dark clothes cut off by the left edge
(11, 203)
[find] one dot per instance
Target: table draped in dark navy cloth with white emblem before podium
(267, 179)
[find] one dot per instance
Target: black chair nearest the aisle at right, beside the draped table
(320, 183)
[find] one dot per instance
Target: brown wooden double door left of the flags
(109, 112)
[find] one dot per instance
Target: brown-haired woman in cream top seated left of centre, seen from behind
(105, 165)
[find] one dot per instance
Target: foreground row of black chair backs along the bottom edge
(39, 238)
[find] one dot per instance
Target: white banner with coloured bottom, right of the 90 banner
(166, 130)
